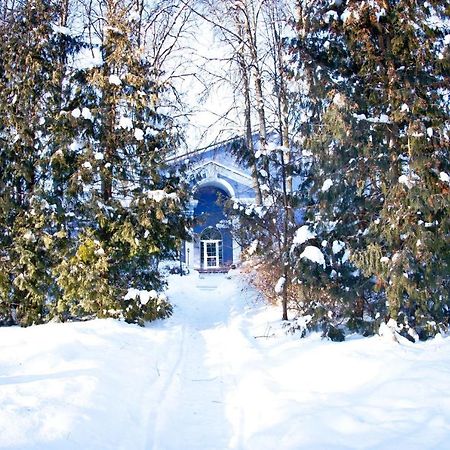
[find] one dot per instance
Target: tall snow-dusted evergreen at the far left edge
(31, 91)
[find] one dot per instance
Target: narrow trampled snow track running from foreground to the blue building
(192, 404)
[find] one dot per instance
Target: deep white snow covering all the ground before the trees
(219, 374)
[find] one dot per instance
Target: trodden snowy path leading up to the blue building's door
(195, 397)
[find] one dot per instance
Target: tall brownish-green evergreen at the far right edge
(406, 72)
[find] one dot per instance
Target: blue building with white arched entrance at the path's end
(216, 177)
